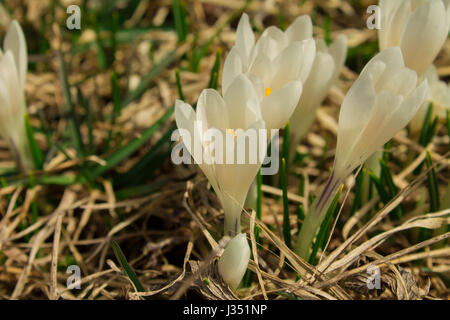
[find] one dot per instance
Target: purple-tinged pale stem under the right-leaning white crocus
(315, 216)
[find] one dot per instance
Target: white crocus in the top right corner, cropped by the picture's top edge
(418, 27)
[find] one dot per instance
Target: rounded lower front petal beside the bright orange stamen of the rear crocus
(278, 107)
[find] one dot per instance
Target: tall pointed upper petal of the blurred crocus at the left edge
(15, 41)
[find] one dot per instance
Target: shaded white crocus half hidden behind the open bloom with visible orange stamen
(325, 71)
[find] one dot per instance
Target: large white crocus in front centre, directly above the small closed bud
(238, 111)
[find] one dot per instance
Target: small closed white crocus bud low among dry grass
(234, 261)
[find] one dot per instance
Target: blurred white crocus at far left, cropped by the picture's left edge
(13, 67)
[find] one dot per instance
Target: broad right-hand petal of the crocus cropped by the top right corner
(424, 36)
